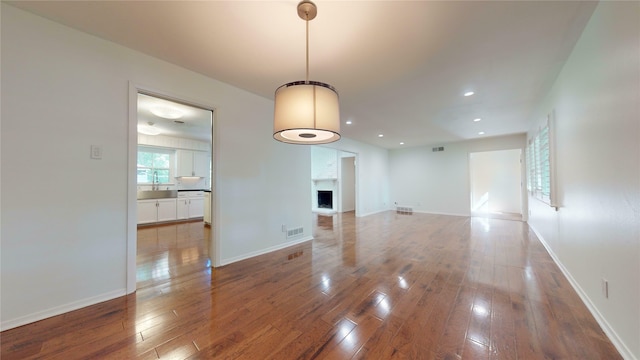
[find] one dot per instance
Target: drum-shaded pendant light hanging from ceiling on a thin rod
(306, 112)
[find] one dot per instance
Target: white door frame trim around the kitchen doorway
(132, 186)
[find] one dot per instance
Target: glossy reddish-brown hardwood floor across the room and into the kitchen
(386, 286)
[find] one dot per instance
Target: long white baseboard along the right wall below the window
(608, 330)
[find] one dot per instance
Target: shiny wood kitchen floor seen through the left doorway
(171, 250)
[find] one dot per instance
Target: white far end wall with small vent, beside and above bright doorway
(438, 182)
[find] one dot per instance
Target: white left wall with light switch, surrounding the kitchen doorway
(65, 217)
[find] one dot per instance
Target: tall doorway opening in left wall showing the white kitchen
(172, 227)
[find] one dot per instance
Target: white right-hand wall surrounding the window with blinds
(595, 234)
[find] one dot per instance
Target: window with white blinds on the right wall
(539, 160)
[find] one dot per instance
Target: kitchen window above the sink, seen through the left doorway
(154, 165)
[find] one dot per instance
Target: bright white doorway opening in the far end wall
(496, 184)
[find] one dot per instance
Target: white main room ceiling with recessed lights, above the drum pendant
(400, 67)
